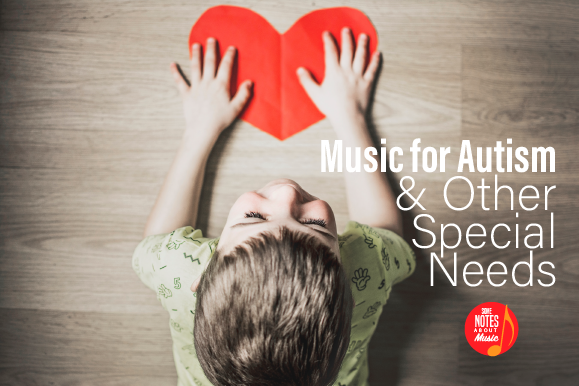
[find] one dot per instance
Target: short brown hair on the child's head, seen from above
(274, 311)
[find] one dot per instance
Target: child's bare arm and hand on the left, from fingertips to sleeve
(208, 110)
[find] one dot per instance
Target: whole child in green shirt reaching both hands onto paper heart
(279, 298)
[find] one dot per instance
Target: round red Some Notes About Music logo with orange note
(491, 328)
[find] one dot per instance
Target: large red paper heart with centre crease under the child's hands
(279, 105)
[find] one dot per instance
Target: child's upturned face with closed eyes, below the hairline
(280, 203)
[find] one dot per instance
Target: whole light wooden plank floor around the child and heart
(90, 121)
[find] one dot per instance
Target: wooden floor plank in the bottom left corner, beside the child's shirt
(40, 347)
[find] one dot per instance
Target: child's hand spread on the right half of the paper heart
(345, 92)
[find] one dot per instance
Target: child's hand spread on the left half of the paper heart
(207, 103)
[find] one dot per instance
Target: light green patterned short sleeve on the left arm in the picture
(168, 262)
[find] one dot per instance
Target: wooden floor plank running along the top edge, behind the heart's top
(413, 21)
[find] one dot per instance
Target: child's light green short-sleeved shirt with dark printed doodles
(374, 259)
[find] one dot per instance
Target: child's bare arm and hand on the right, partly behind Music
(343, 97)
